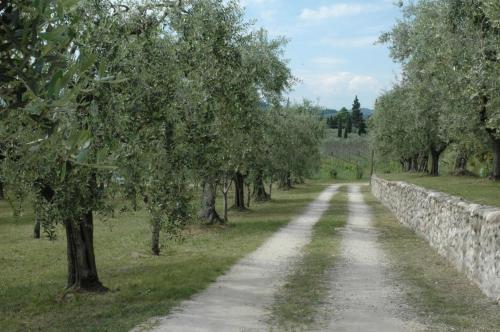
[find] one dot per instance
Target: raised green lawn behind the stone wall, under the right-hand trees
(478, 190)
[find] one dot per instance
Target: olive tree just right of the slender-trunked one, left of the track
(209, 38)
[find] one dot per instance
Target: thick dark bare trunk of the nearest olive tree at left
(82, 270)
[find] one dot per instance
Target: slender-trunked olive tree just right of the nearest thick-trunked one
(155, 168)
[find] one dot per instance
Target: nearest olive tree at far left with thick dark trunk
(56, 133)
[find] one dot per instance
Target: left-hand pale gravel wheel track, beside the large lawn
(238, 300)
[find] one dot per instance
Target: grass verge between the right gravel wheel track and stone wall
(445, 298)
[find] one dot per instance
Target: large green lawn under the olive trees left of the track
(34, 271)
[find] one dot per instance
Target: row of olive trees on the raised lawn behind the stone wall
(449, 92)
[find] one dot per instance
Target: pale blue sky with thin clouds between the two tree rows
(331, 46)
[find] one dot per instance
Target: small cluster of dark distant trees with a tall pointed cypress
(347, 122)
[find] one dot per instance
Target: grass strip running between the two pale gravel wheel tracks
(298, 304)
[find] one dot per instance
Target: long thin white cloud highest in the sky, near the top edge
(337, 10)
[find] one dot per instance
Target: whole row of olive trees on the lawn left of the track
(99, 98)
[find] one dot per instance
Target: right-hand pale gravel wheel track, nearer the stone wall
(363, 294)
